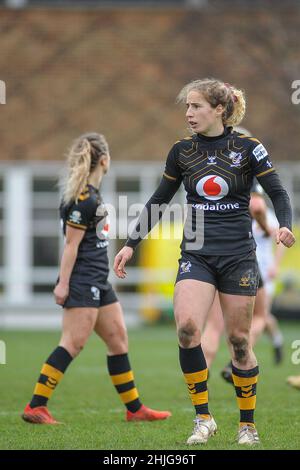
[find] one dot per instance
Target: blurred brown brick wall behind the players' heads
(119, 71)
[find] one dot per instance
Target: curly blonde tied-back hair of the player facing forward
(217, 92)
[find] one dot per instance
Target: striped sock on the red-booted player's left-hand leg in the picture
(51, 374)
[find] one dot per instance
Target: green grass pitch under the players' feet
(93, 415)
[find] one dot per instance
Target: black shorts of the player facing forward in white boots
(234, 274)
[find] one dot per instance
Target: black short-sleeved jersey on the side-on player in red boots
(89, 214)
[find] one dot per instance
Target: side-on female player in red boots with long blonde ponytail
(89, 301)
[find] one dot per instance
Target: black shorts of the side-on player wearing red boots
(87, 295)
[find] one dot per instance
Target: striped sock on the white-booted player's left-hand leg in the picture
(194, 368)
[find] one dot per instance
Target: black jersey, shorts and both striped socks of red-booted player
(88, 287)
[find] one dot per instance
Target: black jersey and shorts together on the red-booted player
(89, 286)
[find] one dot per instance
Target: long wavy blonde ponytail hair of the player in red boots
(82, 159)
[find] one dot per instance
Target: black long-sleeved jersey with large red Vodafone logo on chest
(217, 173)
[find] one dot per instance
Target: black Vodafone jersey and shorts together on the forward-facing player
(217, 173)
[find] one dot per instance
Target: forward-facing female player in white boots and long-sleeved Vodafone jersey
(216, 166)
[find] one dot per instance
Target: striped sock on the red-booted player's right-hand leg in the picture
(122, 377)
